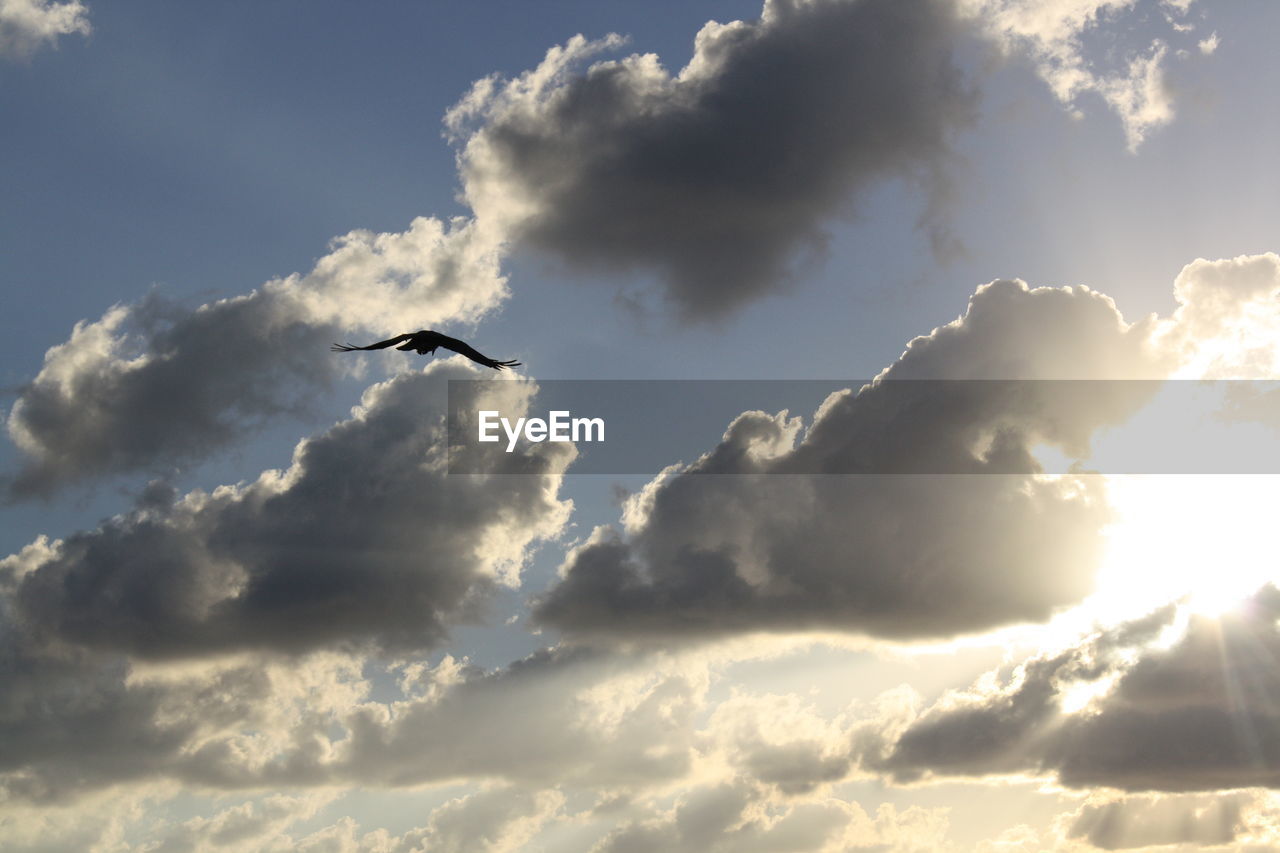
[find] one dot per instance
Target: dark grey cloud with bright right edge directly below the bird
(363, 541)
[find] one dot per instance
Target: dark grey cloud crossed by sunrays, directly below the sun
(1196, 717)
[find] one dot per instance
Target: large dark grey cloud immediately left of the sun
(755, 537)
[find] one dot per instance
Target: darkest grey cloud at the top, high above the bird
(720, 176)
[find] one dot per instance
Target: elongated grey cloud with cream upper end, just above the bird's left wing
(154, 385)
